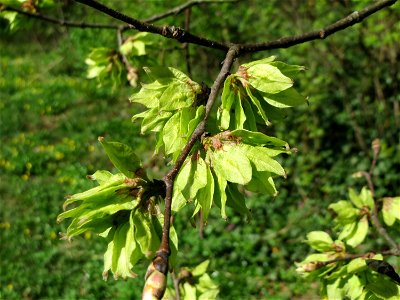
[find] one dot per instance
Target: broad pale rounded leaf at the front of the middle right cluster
(231, 163)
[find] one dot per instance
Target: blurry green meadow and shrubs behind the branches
(51, 116)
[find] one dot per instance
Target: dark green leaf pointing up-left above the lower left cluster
(122, 157)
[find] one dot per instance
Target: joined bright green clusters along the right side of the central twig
(237, 154)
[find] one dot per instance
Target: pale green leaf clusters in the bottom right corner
(364, 277)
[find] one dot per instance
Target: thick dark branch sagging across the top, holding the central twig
(183, 36)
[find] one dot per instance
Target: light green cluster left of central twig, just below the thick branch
(173, 110)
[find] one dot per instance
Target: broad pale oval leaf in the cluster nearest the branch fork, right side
(267, 78)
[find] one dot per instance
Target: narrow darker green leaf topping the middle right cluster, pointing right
(258, 139)
